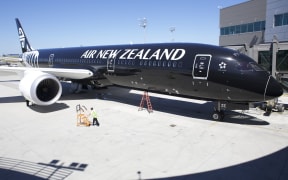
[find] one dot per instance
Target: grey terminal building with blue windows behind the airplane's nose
(258, 28)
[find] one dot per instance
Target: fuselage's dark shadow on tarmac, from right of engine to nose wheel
(183, 108)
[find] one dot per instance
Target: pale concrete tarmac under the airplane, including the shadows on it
(178, 141)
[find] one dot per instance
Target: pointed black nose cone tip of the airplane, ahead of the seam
(273, 89)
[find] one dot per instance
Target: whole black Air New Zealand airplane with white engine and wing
(199, 71)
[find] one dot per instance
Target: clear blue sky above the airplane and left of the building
(63, 23)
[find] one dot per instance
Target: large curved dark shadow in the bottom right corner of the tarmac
(273, 166)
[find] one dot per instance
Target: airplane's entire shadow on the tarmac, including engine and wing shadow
(183, 108)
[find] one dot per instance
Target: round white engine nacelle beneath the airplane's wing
(40, 88)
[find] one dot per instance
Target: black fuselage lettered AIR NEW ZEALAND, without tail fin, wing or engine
(181, 69)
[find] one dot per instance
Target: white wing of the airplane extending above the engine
(58, 72)
